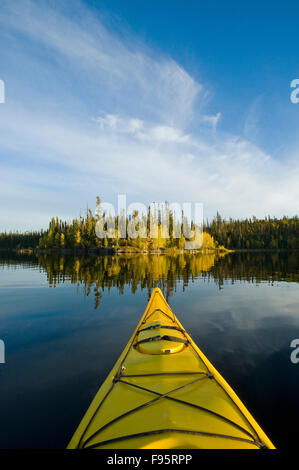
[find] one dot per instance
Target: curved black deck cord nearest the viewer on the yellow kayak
(182, 431)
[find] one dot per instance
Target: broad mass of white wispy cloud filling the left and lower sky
(127, 130)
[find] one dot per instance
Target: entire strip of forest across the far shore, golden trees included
(79, 235)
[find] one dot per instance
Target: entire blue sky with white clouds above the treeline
(177, 101)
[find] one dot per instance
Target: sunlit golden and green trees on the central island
(81, 233)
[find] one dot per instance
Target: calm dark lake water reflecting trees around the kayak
(65, 321)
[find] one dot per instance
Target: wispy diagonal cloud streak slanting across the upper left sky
(132, 75)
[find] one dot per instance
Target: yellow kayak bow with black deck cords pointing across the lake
(163, 393)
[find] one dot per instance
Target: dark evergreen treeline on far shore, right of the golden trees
(268, 233)
